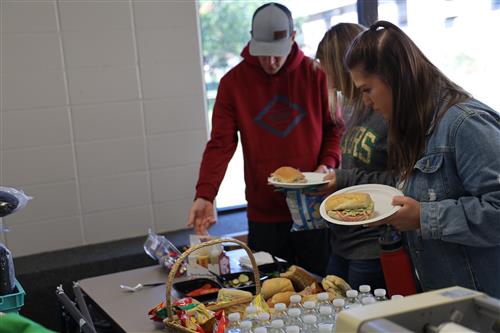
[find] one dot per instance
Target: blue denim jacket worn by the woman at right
(457, 182)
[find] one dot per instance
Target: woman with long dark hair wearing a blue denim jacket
(444, 147)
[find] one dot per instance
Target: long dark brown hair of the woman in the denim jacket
(417, 85)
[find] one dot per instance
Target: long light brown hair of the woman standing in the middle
(331, 51)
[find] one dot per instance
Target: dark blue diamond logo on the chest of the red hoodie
(280, 116)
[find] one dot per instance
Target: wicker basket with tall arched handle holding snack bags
(238, 305)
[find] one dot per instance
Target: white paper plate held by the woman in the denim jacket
(381, 195)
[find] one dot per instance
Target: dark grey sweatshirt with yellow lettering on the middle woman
(364, 161)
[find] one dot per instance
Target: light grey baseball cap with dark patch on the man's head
(272, 29)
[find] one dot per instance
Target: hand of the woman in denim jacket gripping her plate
(406, 218)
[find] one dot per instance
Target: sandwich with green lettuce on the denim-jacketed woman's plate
(351, 207)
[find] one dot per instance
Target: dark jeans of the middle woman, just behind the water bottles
(357, 272)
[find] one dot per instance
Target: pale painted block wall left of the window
(103, 118)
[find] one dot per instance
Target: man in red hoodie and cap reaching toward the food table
(277, 99)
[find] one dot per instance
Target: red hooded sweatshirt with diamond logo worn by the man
(283, 119)
